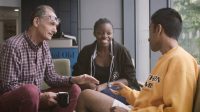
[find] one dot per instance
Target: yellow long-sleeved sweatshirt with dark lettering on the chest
(170, 87)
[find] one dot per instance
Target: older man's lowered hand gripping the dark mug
(48, 99)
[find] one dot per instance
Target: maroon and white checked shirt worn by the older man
(23, 62)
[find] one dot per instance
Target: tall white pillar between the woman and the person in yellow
(142, 44)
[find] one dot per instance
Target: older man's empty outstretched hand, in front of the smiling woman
(83, 79)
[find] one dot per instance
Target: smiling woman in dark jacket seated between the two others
(106, 60)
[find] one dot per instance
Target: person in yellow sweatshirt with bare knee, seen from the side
(170, 86)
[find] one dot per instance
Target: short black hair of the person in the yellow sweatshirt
(170, 20)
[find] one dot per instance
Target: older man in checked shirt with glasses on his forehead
(25, 61)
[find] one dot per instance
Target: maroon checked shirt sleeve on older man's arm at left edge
(9, 67)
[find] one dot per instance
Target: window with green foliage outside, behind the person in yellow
(190, 37)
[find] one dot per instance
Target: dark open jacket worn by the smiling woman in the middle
(123, 66)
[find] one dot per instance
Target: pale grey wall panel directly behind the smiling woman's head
(91, 11)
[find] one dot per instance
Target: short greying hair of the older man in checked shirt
(40, 11)
